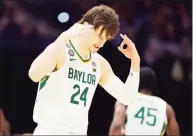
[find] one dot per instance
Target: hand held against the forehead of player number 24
(78, 30)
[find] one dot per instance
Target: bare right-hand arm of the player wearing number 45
(172, 127)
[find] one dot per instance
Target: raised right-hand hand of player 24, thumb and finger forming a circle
(130, 51)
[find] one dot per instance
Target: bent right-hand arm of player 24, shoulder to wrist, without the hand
(124, 92)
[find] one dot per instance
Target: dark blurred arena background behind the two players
(160, 29)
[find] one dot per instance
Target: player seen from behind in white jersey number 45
(149, 115)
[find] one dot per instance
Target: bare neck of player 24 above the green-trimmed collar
(81, 48)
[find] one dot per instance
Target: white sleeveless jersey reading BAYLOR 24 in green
(64, 97)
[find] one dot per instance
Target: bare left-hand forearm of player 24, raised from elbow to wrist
(47, 60)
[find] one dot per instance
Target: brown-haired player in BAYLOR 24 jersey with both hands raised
(69, 69)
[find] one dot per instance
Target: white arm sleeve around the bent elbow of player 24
(124, 93)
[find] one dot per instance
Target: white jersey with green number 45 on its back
(147, 116)
